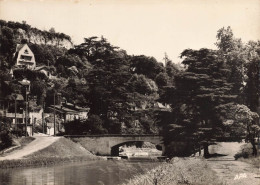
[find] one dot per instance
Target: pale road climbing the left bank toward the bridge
(39, 143)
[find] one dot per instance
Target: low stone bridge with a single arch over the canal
(109, 144)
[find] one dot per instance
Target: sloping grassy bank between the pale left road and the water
(63, 150)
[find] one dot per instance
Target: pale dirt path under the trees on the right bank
(228, 169)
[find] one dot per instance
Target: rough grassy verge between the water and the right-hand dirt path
(179, 171)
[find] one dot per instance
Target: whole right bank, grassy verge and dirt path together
(225, 166)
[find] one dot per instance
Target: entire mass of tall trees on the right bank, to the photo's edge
(207, 98)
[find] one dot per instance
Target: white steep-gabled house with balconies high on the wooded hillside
(24, 56)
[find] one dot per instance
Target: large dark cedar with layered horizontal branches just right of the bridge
(197, 93)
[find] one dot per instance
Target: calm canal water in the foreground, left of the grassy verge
(84, 173)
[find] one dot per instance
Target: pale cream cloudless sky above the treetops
(152, 28)
